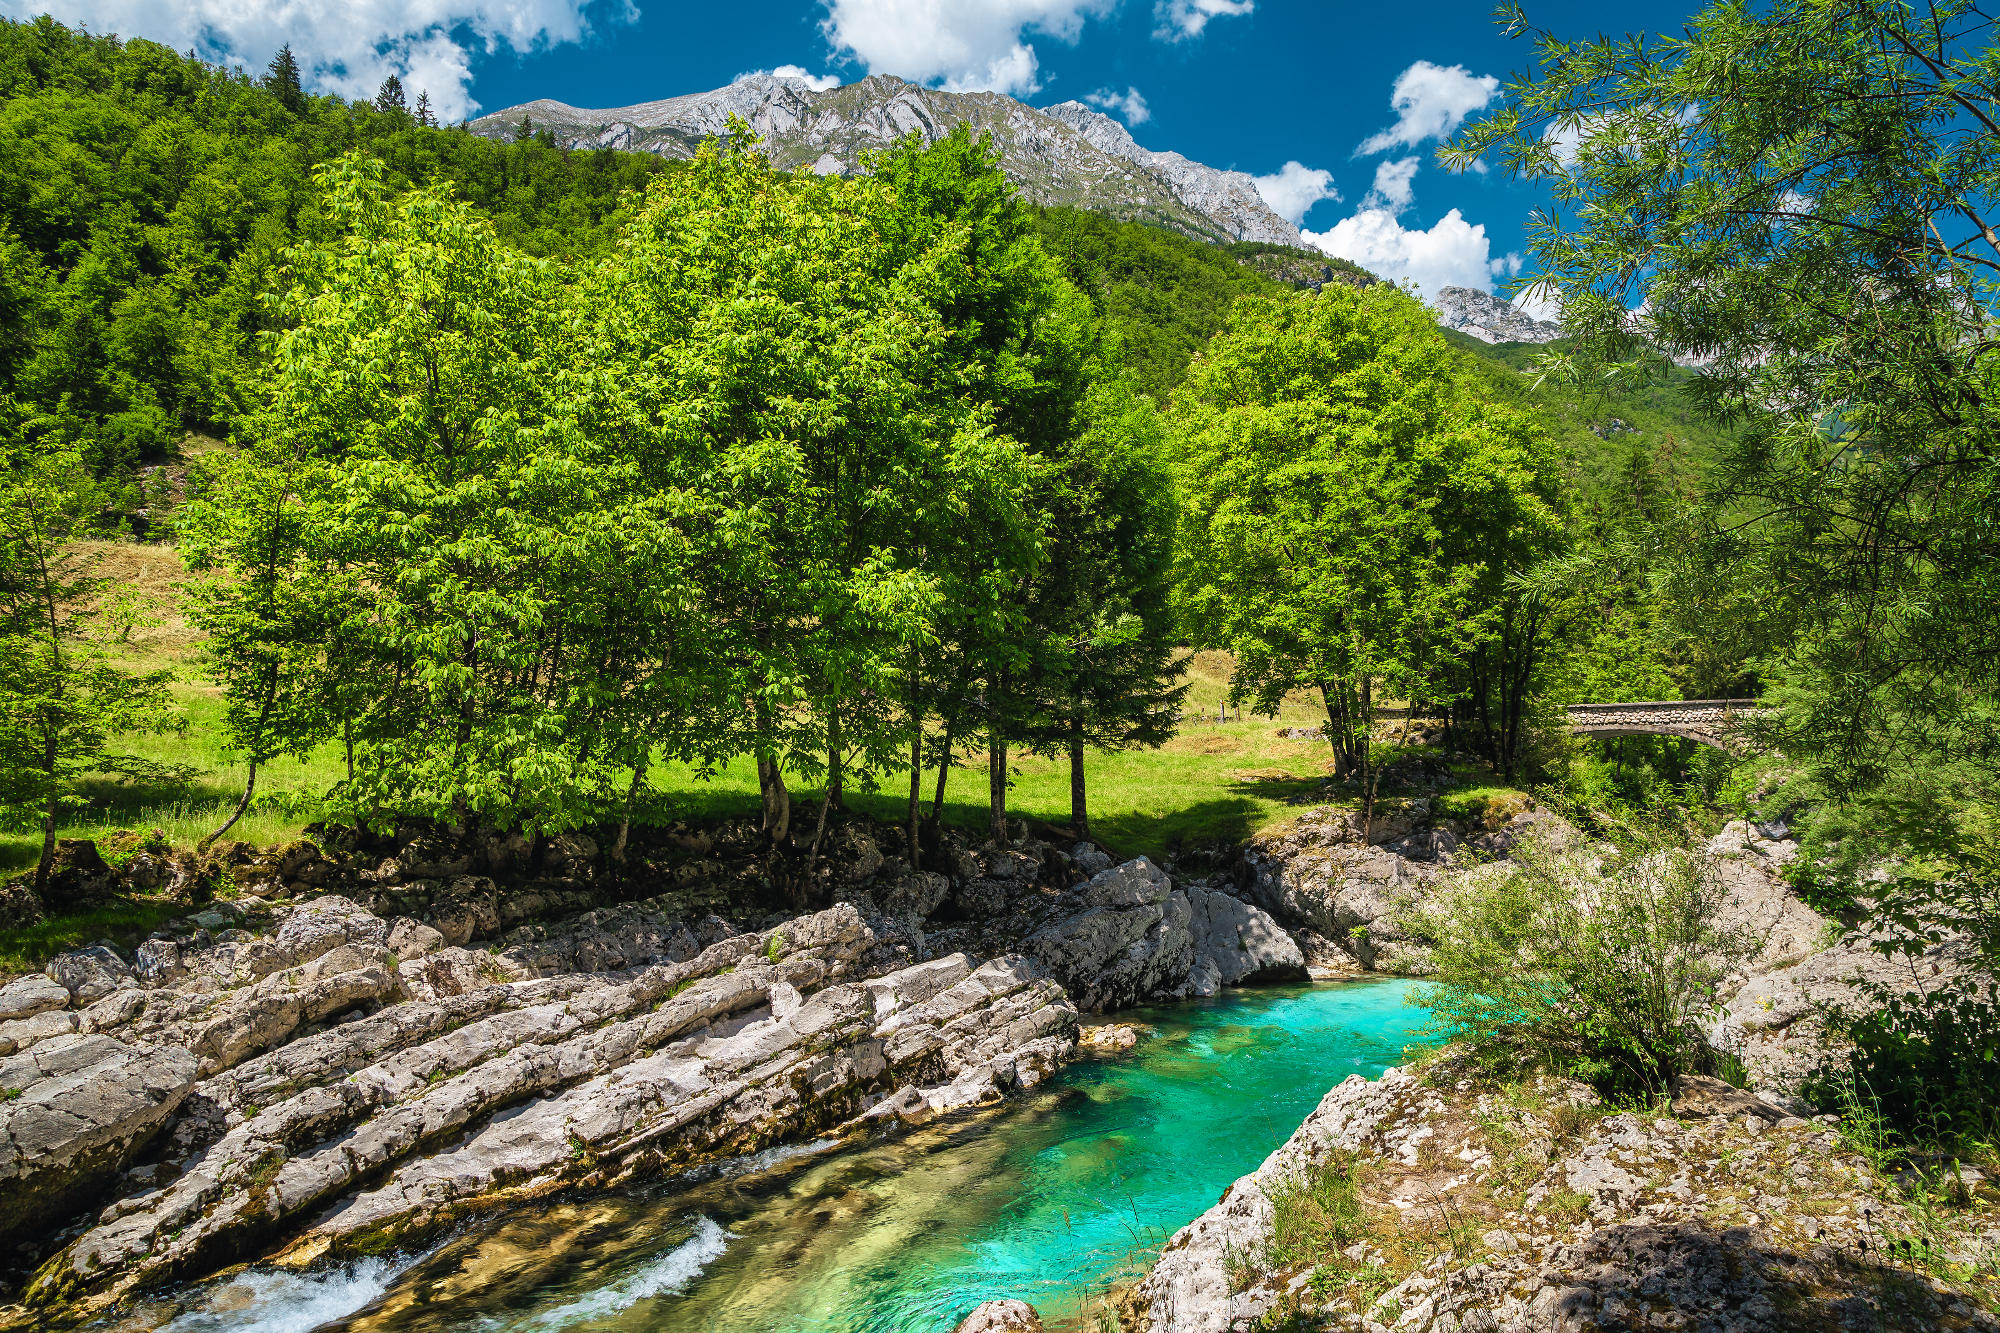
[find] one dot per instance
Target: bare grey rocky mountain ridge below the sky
(1063, 155)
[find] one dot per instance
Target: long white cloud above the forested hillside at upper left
(351, 47)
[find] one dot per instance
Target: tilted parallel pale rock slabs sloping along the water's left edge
(541, 1084)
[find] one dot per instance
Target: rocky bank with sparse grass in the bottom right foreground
(1427, 1204)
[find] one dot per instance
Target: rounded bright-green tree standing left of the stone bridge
(1349, 513)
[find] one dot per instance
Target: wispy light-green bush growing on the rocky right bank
(1599, 962)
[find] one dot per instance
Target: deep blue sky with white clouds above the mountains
(1249, 85)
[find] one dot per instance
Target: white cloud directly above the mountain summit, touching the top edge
(961, 47)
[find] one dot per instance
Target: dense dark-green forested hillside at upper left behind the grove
(147, 203)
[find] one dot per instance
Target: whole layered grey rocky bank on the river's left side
(379, 1046)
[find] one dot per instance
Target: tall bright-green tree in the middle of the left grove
(795, 345)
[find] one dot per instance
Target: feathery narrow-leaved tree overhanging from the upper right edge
(1803, 197)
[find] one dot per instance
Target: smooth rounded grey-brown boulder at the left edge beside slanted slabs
(79, 1108)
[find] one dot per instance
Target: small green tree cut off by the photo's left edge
(63, 704)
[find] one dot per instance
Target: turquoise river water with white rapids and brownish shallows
(1051, 1200)
